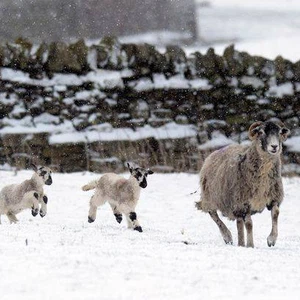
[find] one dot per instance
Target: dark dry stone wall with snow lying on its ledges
(79, 107)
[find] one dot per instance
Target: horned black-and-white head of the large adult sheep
(270, 136)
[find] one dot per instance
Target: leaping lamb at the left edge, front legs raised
(15, 198)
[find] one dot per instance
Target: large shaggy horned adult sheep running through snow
(240, 181)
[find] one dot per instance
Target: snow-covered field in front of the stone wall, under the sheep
(180, 254)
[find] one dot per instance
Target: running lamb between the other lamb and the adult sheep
(122, 194)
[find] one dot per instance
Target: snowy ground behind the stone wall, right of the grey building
(268, 28)
